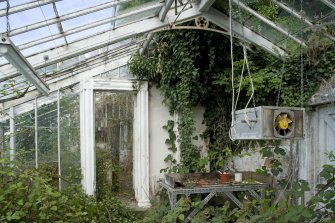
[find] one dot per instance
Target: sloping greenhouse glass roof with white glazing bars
(71, 32)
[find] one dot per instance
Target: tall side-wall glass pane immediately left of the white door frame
(69, 137)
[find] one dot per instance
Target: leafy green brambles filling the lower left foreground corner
(28, 196)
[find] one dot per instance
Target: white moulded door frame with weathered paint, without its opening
(140, 140)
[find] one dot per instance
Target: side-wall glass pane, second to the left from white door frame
(47, 139)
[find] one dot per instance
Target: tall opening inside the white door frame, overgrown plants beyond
(114, 113)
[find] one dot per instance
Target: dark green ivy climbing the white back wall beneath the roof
(193, 67)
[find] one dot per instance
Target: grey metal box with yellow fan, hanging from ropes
(268, 122)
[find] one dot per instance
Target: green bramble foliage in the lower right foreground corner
(320, 208)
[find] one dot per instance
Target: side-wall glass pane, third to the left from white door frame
(25, 137)
